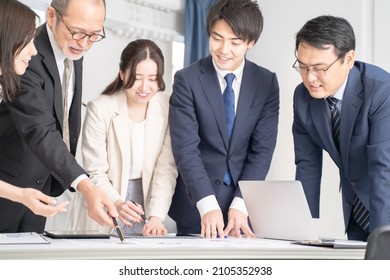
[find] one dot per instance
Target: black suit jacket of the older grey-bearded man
(31, 146)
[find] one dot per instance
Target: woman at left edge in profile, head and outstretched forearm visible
(17, 32)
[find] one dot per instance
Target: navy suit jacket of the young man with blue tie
(199, 135)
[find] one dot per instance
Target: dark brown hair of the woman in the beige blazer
(135, 52)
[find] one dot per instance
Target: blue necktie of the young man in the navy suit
(228, 101)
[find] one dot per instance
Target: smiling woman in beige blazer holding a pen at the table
(126, 146)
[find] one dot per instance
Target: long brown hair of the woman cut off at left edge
(17, 29)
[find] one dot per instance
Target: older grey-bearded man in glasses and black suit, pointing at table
(44, 122)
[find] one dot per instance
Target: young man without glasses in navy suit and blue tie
(205, 201)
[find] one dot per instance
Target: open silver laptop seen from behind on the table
(278, 210)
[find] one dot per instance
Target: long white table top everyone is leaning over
(173, 248)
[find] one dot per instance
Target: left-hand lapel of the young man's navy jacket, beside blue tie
(213, 94)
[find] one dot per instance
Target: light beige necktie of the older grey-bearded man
(68, 65)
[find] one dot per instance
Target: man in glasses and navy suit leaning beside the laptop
(343, 107)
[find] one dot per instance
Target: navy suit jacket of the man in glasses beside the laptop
(364, 157)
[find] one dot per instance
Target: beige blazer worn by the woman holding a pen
(106, 157)
